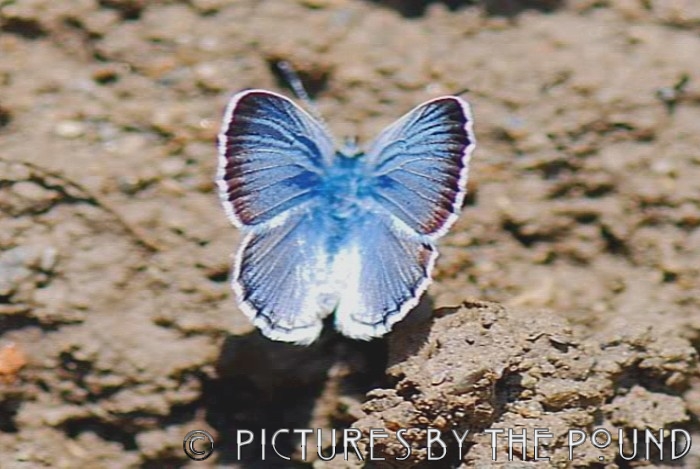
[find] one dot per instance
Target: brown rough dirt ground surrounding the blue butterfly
(566, 296)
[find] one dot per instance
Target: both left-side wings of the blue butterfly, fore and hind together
(273, 158)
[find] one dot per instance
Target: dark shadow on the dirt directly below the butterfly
(263, 384)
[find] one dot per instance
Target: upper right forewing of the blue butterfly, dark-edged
(421, 164)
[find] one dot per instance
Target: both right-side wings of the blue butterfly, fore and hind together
(418, 170)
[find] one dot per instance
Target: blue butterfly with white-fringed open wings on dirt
(331, 229)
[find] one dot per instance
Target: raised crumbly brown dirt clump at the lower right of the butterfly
(483, 366)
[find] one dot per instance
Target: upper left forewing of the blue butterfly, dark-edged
(272, 156)
